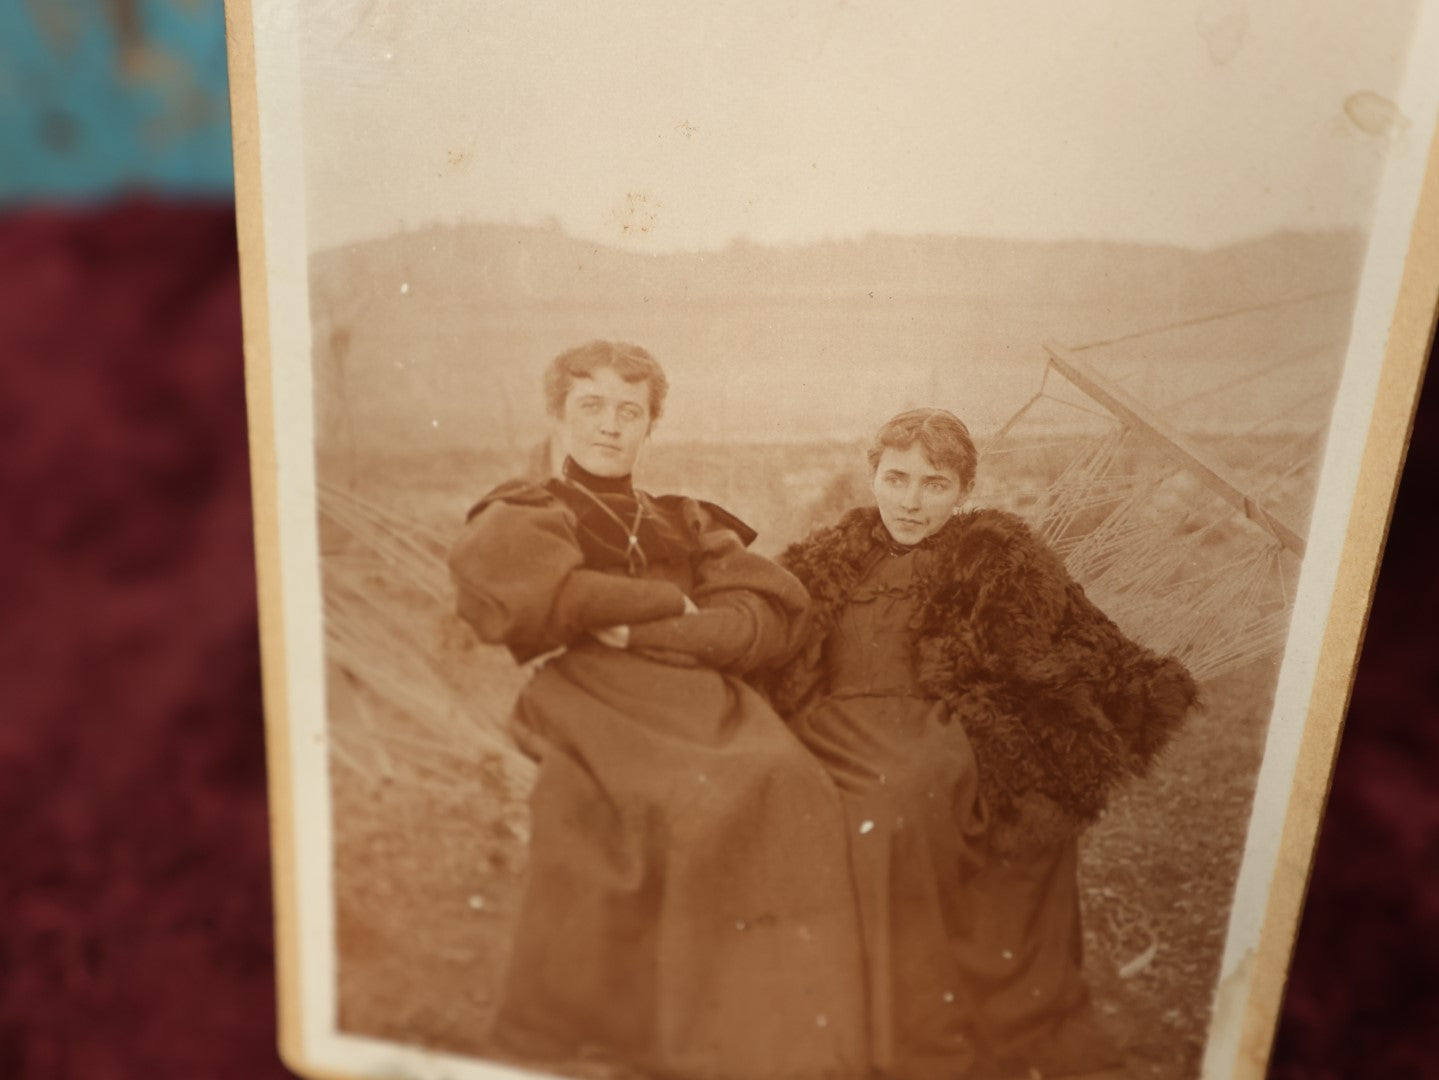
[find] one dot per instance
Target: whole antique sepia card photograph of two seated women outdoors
(807, 530)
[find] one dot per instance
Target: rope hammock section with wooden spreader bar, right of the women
(1188, 540)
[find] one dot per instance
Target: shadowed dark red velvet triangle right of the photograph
(1363, 997)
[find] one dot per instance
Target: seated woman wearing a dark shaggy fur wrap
(976, 711)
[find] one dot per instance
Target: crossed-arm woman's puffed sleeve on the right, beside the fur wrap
(752, 612)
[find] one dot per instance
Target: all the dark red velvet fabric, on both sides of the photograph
(136, 928)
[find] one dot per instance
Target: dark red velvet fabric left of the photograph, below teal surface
(136, 930)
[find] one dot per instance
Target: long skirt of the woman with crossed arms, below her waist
(689, 907)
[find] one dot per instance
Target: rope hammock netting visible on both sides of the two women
(1188, 539)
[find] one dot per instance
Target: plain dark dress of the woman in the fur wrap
(909, 782)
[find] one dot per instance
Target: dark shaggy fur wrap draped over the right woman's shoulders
(1058, 704)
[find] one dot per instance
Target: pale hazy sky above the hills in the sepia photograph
(663, 126)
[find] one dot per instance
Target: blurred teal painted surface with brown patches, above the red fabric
(109, 96)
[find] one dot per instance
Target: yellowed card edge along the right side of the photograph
(1407, 354)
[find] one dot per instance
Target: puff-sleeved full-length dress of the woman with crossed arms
(687, 910)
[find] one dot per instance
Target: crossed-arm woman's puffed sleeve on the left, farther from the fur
(522, 580)
